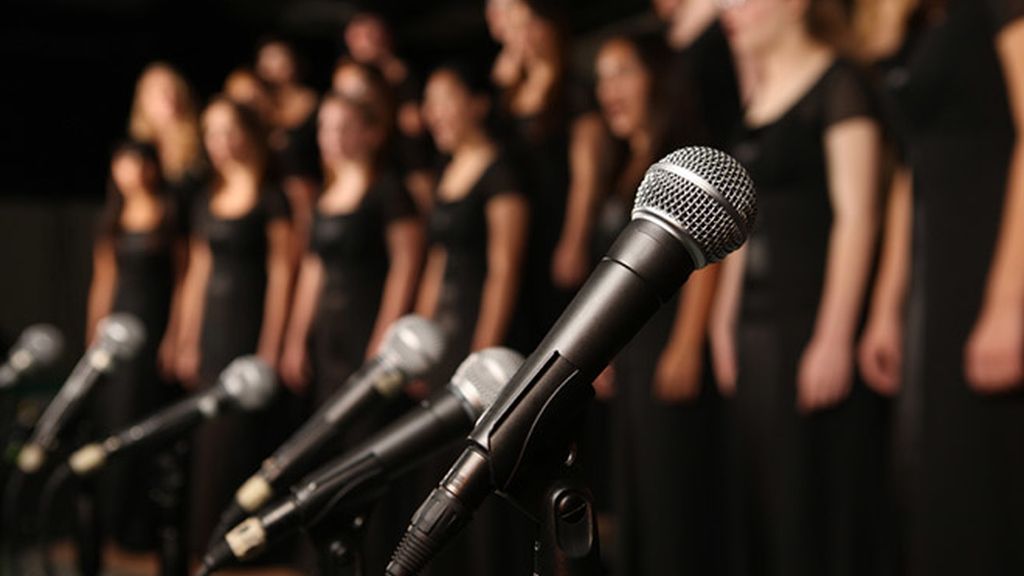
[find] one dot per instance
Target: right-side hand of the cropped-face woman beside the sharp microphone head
(826, 374)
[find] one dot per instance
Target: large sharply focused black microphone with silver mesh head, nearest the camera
(694, 208)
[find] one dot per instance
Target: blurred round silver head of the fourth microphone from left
(413, 345)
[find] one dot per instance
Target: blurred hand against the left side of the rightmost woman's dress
(881, 353)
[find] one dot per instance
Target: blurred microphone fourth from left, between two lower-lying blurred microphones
(411, 349)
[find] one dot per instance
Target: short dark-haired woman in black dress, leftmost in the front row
(135, 271)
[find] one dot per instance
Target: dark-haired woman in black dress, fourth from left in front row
(472, 283)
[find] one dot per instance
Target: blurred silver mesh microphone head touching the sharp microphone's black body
(482, 378)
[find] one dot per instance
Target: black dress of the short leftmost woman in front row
(145, 284)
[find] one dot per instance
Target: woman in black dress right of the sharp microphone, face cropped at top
(789, 312)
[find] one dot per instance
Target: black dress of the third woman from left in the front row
(353, 249)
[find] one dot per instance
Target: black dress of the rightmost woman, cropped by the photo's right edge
(962, 451)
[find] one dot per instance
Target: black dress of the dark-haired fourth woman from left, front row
(499, 541)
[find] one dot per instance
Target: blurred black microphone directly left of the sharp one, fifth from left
(356, 480)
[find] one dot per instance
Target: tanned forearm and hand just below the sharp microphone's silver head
(678, 375)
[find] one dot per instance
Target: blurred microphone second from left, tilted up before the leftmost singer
(119, 338)
